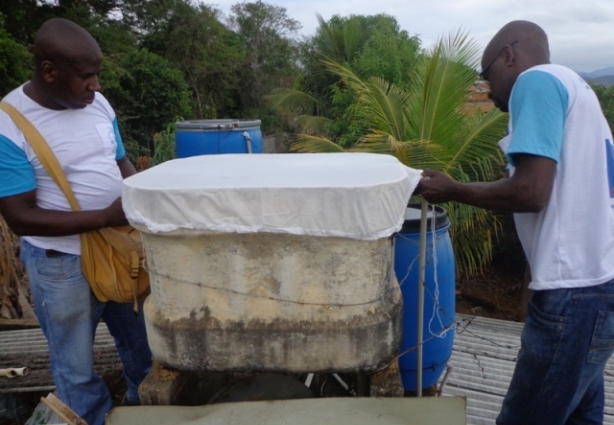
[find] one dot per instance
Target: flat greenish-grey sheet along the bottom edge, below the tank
(321, 411)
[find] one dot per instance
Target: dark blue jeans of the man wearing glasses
(566, 341)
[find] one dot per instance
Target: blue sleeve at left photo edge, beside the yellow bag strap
(16, 172)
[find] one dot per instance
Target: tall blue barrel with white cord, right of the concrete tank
(439, 295)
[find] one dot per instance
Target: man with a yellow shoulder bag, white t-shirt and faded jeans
(62, 102)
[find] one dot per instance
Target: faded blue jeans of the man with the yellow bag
(69, 313)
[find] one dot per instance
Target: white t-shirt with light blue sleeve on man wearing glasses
(555, 114)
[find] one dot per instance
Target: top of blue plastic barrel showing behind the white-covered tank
(209, 137)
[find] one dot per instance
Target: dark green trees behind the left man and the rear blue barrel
(166, 58)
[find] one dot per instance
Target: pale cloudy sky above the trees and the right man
(581, 32)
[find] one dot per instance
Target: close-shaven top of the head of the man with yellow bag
(63, 42)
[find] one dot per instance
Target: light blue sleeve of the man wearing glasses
(538, 110)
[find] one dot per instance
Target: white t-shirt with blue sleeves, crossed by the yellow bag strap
(87, 145)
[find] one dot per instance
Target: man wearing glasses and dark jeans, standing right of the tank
(560, 189)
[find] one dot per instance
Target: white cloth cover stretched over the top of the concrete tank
(352, 195)
